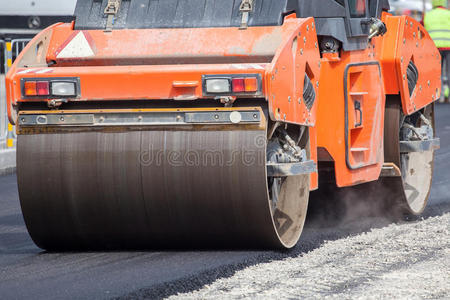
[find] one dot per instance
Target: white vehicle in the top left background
(24, 17)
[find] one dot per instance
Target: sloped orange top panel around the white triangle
(169, 46)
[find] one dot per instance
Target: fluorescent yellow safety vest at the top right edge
(437, 23)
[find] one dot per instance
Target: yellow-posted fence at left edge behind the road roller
(9, 50)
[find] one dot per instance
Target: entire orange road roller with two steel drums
(192, 123)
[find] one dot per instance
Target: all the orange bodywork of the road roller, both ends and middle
(161, 64)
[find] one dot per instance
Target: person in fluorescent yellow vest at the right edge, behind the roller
(437, 23)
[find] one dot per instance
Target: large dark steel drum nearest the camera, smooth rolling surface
(146, 189)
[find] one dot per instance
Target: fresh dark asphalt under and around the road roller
(28, 272)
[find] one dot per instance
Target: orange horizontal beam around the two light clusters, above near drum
(136, 82)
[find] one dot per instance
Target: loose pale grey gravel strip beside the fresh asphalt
(401, 261)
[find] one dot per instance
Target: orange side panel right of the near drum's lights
(298, 55)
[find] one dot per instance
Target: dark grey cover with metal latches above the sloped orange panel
(140, 14)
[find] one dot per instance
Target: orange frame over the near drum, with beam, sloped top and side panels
(153, 64)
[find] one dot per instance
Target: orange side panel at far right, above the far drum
(405, 41)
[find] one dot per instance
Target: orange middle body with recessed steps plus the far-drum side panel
(357, 150)
